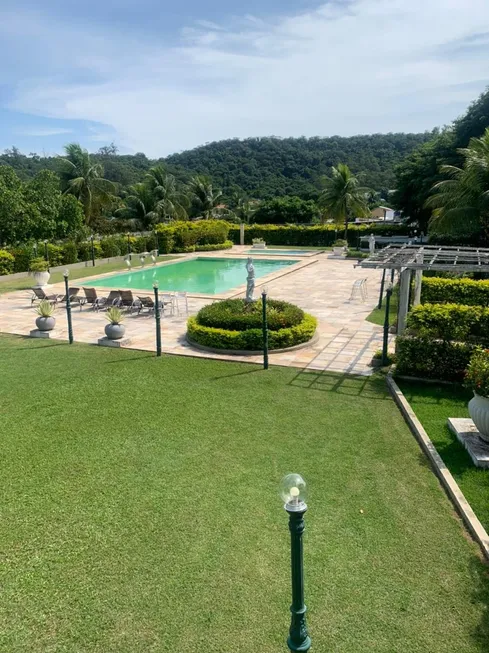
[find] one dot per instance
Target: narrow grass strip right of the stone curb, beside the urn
(434, 404)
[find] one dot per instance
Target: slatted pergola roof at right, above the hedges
(429, 257)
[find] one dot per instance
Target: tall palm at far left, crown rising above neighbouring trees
(84, 179)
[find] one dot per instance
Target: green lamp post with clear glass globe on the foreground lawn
(293, 493)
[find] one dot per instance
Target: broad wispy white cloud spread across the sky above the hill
(346, 68)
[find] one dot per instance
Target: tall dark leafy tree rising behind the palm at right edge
(417, 174)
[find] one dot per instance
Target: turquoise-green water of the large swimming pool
(209, 276)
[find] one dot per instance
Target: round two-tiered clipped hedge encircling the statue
(236, 325)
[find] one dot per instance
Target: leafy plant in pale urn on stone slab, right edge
(477, 379)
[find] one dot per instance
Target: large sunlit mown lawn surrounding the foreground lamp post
(140, 511)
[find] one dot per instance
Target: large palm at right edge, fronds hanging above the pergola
(461, 202)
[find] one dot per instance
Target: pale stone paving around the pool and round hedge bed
(321, 285)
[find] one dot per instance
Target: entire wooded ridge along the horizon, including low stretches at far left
(262, 167)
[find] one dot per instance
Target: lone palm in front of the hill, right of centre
(343, 197)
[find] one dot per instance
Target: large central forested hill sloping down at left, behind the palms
(264, 167)
